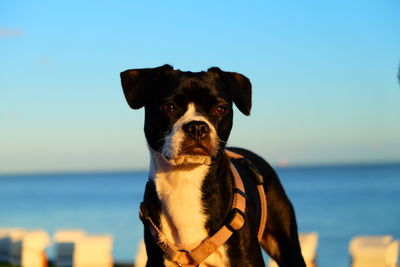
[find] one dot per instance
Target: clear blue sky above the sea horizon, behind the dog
(323, 74)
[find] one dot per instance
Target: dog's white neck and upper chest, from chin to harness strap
(179, 189)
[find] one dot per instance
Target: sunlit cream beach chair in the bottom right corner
(374, 251)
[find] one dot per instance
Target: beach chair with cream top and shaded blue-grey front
(65, 246)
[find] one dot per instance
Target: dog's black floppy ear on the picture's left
(138, 84)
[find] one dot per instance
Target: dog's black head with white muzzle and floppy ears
(188, 115)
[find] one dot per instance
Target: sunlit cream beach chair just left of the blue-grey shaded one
(28, 250)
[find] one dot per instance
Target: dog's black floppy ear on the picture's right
(239, 86)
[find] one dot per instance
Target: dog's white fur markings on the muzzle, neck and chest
(179, 190)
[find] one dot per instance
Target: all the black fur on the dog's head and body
(152, 88)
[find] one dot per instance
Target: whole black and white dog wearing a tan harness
(191, 187)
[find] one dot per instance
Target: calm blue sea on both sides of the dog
(337, 202)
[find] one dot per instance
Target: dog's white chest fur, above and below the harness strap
(182, 217)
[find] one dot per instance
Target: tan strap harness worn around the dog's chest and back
(234, 222)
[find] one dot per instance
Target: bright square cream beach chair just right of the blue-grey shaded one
(93, 251)
